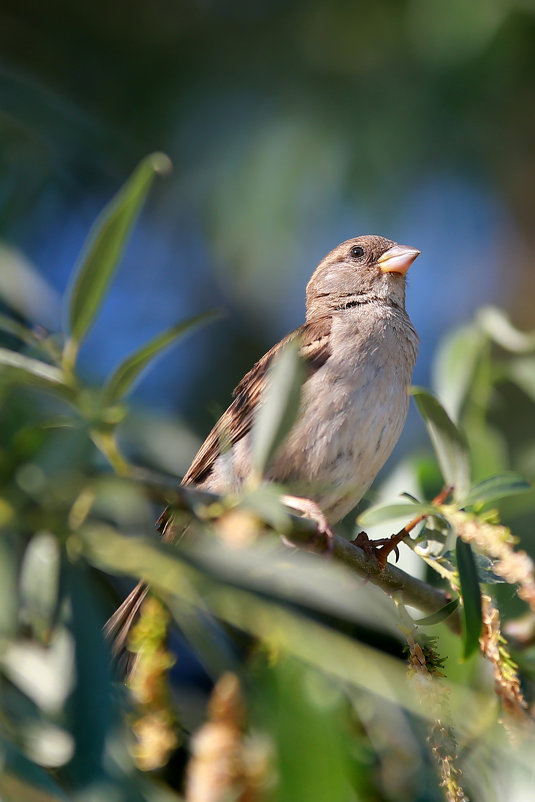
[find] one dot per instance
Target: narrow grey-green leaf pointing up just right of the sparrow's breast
(448, 441)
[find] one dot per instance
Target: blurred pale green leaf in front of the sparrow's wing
(279, 406)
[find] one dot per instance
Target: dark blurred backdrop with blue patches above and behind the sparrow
(291, 126)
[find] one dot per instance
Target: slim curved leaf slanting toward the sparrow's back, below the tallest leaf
(125, 376)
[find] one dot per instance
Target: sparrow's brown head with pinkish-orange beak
(361, 269)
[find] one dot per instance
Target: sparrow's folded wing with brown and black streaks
(237, 420)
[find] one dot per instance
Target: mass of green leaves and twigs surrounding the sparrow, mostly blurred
(312, 698)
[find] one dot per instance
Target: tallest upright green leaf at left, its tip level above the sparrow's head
(105, 243)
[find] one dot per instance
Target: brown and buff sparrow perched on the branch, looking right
(359, 349)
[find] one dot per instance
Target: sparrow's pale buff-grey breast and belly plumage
(352, 413)
